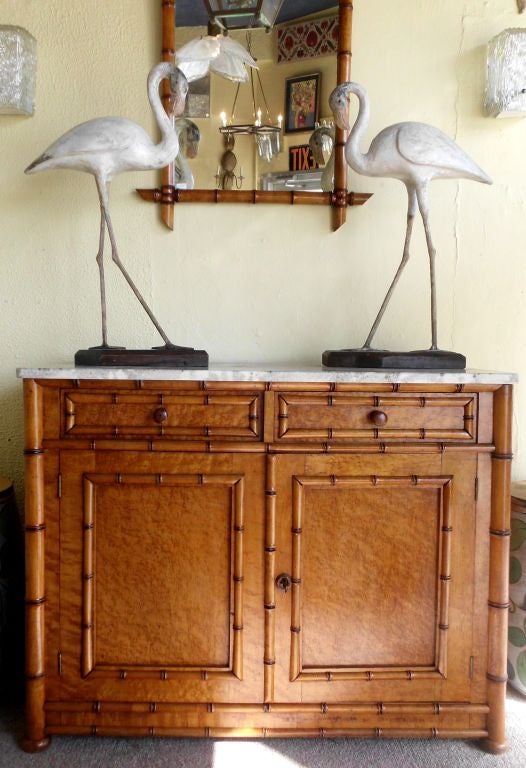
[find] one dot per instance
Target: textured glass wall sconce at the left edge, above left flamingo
(17, 71)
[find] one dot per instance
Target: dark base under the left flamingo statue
(158, 357)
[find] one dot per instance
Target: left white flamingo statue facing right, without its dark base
(107, 146)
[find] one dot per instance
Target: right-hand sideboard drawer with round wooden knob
(351, 416)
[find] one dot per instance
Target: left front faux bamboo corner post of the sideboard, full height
(36, 739)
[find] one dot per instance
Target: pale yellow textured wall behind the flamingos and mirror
(271, 283)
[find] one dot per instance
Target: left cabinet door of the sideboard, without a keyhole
(159, 560)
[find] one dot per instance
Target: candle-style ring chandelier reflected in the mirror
(266, 132)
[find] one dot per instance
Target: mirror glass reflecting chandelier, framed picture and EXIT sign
(275, 131)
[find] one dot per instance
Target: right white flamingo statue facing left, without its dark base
(416, 154)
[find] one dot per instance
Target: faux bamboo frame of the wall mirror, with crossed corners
(168, 195)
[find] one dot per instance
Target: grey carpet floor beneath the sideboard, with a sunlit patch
(80, 752)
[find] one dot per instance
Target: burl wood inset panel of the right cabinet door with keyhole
(361, 579)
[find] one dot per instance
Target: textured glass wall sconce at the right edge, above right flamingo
(506, 74)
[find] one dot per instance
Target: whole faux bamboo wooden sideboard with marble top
(266, 553)
